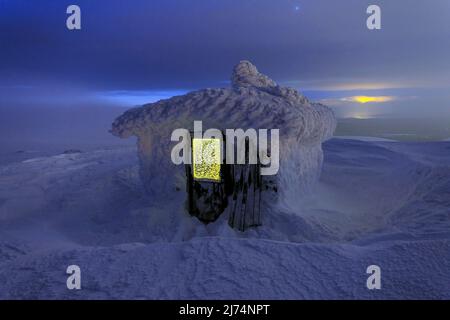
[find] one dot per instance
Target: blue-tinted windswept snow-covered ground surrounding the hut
(378, 202)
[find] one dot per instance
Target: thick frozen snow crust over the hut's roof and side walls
(253, 101)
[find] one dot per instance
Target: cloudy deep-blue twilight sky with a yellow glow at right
(136, 51)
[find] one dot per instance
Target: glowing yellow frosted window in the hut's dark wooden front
(206, 159)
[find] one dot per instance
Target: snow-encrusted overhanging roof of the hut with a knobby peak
(253, 101)
